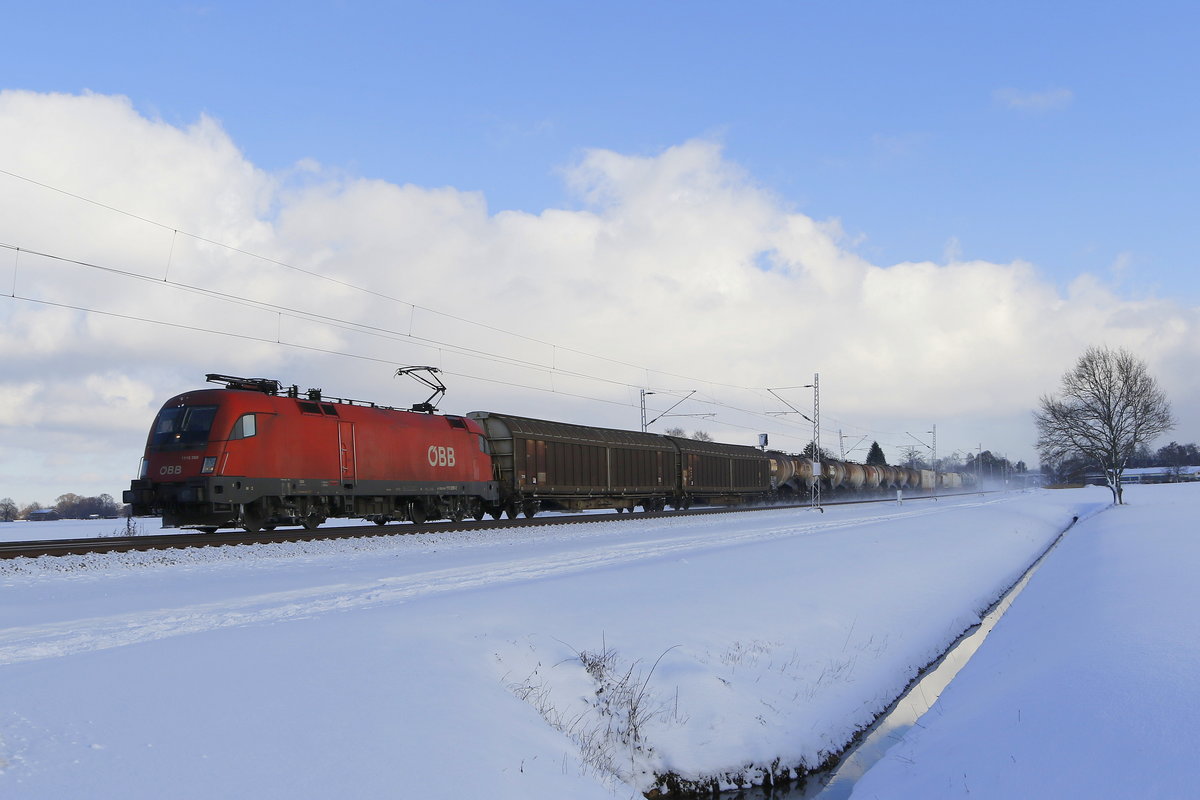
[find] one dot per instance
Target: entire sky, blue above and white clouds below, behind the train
(650, 183)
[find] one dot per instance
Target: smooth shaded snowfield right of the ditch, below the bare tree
(1089, 685)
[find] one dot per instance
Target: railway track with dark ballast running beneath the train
(199, 539)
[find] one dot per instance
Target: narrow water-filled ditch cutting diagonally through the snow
(838, 784)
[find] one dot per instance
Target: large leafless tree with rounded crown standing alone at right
(1109, 406)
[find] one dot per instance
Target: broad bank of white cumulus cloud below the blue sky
(677, 273)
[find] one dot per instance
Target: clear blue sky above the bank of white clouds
(1061, 134)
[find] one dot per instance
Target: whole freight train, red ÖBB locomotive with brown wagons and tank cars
(256, 455)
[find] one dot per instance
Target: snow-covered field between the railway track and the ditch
(710, 648)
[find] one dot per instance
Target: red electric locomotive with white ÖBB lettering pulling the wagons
(256, 455)
